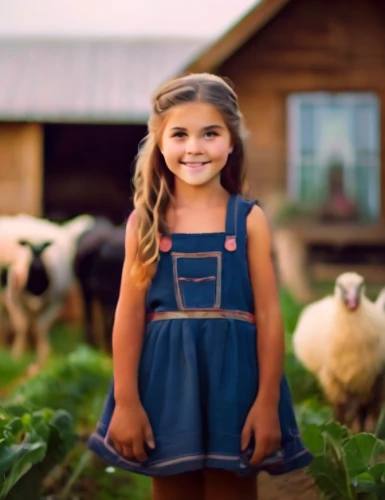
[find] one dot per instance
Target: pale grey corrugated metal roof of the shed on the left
(83, 80)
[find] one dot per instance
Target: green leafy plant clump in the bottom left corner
(33, 440)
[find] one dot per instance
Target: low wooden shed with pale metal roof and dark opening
(72, 113)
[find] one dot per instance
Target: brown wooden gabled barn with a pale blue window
(310, 76)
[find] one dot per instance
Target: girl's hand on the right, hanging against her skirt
(263, 422)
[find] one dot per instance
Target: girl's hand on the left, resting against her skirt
(130, 431)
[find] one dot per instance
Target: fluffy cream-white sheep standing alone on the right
(341, 339)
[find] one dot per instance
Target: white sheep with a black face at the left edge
(53, 266)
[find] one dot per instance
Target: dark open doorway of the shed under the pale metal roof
(88, 169)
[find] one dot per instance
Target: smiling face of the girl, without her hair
(195, 143)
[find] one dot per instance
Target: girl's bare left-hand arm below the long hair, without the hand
(129, 324)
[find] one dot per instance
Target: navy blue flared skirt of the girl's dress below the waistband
(197, 382)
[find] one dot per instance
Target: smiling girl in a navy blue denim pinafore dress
(199, 401)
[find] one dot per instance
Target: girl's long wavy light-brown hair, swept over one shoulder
(153, 181)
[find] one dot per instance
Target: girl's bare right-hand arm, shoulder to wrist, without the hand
(267, 308)
